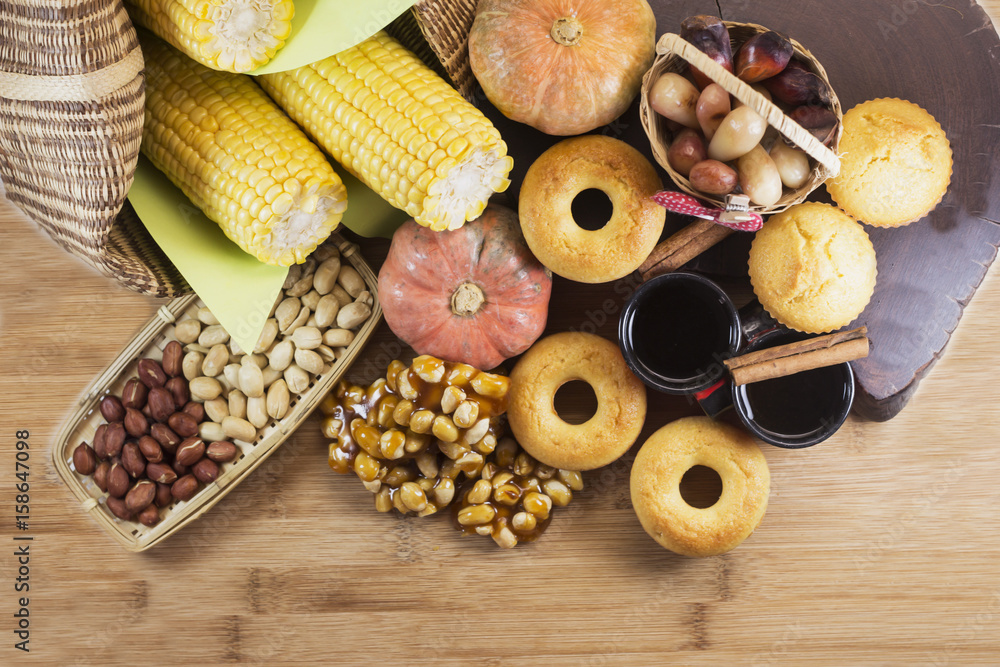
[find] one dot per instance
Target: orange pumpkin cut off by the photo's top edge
(564, 67)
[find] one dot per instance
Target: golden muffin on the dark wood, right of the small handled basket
(895, 163)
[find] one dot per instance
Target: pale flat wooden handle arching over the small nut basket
(672, 43)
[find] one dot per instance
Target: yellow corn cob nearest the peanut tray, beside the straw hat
(238, 157)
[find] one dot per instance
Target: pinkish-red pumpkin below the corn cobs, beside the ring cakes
(475, 295)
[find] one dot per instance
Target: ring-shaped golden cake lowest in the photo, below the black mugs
(668, 455)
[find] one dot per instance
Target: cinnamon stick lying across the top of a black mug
(797, 357)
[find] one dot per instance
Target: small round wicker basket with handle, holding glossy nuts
(674, 54)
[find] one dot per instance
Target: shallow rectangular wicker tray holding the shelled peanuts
(149, 342)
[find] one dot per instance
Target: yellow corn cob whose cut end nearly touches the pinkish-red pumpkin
(401, 129)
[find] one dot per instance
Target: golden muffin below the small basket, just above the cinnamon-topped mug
(813, 268)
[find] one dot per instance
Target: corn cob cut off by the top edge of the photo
(230, 35)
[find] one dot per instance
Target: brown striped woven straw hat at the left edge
(71, 110)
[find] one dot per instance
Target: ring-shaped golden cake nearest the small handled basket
(566, 170)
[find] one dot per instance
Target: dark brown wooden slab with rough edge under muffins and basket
(941, 56)
